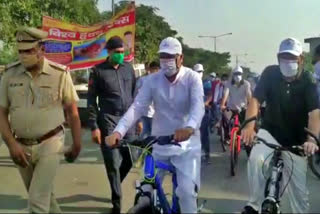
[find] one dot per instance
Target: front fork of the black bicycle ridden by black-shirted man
(272, 191)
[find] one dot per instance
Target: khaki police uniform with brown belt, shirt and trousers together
(35, 106)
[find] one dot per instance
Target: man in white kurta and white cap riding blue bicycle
(177, 95)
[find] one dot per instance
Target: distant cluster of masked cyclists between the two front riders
(225, 95)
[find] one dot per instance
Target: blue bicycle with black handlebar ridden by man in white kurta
(150, 196)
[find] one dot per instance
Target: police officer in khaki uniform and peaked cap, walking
(34, 93)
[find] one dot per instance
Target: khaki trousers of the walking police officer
(39, 176)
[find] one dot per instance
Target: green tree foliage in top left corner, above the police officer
(16, 13)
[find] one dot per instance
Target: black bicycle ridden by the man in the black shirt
(271, 204)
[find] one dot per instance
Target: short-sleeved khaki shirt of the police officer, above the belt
(36, 104)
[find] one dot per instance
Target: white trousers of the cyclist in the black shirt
(296, 191)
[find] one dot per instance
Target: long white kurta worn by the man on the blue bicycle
(177, 105)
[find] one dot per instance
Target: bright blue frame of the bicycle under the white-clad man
(151, 176)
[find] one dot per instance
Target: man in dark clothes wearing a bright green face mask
(113, 83)
